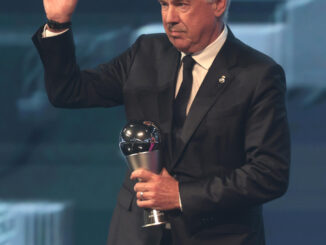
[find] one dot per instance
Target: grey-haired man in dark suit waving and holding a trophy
(220, 106)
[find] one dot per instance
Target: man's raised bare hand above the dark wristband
(59, 10)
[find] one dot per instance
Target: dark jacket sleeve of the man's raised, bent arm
(68, 86)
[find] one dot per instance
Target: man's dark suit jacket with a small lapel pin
(235, 149)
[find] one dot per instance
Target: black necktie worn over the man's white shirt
(182, 99)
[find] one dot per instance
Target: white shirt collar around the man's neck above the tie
(206, 56)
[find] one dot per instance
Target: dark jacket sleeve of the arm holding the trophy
(264, 176)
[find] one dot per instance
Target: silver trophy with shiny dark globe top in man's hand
(139, 142)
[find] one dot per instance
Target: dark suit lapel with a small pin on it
(218, 77)
